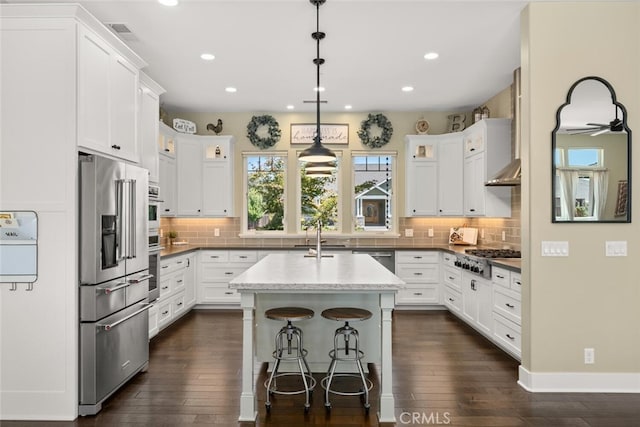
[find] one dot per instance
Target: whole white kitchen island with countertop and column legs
(336, 280)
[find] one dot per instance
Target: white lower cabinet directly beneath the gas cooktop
(476, 302)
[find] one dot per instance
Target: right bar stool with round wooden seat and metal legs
(346, 351)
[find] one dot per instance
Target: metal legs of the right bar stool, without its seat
(347, 353)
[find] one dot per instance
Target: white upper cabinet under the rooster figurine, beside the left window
(205, 178)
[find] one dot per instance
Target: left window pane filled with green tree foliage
(265, 192)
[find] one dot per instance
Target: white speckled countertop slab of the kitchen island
(297, 272)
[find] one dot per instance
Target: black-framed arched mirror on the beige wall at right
(591, 156)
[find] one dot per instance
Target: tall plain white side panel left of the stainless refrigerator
(38, 329)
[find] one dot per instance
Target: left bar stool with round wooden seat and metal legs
(293, 350)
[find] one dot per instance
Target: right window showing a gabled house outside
(373, 192)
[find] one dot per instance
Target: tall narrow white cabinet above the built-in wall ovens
(149, 103)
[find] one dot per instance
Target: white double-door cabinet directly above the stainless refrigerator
(107, 98)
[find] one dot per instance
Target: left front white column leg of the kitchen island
(248, 409)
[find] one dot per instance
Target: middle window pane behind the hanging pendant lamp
(319, 200)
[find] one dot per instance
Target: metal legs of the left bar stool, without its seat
(293, 350)
